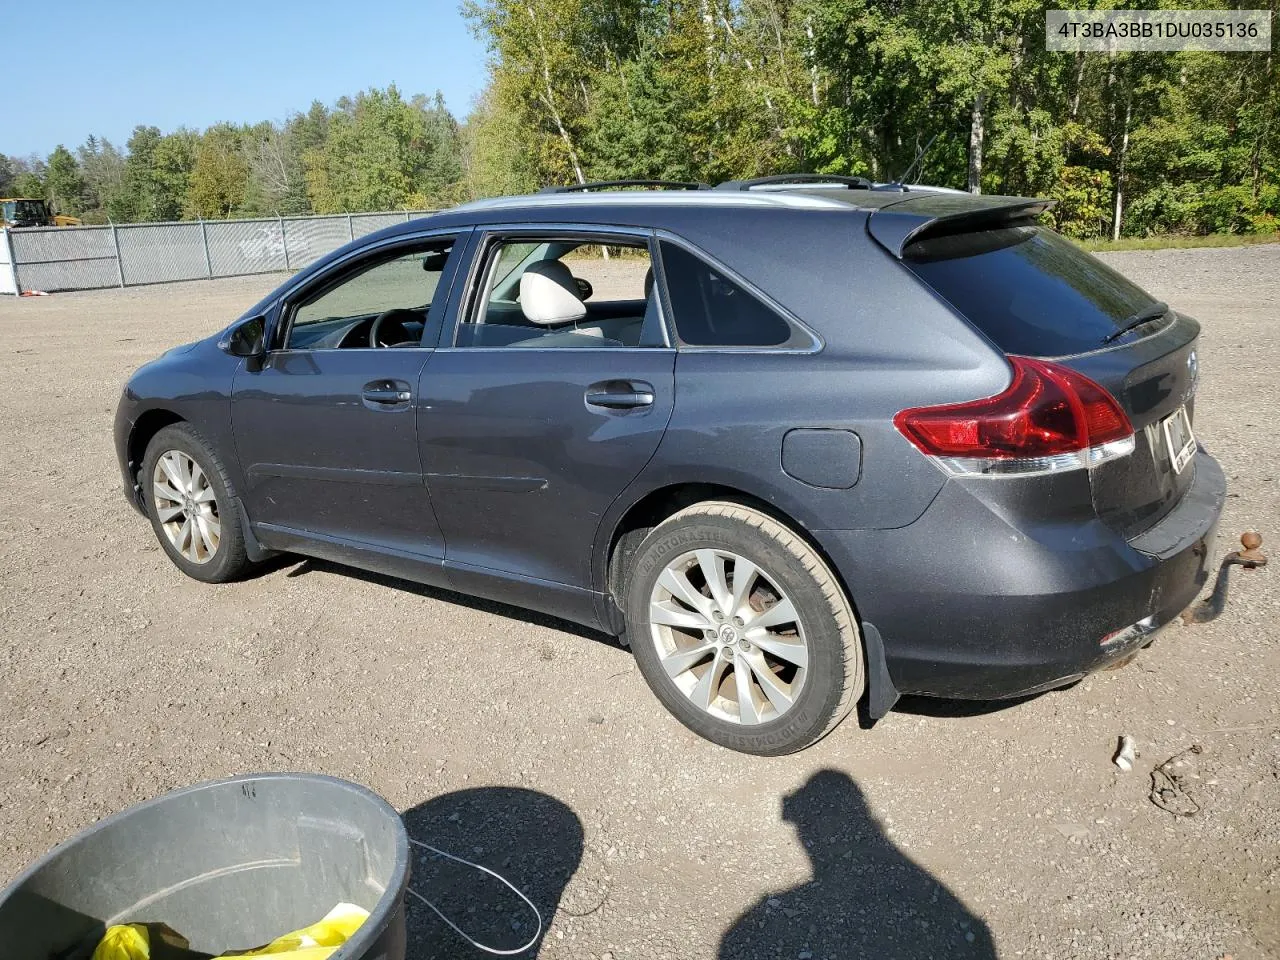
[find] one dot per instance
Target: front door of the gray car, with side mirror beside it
(326, 423)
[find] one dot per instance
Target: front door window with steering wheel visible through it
(382, 304)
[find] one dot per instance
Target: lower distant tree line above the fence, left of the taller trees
(376, 152)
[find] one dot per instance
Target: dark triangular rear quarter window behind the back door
(710, 310)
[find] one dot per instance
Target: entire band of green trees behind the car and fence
(1130, 145)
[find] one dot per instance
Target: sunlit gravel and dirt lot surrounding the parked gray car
(536, 748)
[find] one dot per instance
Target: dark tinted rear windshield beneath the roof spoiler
(1030, 290)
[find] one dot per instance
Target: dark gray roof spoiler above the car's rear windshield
(916, 218)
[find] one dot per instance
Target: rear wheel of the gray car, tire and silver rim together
(803, 703)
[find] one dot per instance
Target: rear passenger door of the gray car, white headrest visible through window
(546, 399)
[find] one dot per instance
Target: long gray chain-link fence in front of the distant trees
(124, 255)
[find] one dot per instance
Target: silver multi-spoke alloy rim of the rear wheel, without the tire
(729, 637)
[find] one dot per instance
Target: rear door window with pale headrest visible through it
(565, 292)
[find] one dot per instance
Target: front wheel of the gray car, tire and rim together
(213, 500)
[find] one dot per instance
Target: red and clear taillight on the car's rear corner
(1049, 419)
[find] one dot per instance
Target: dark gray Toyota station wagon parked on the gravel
(801, 445)
